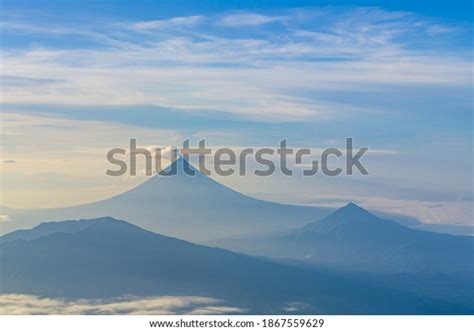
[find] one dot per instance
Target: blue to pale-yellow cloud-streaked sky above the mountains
(81, 77)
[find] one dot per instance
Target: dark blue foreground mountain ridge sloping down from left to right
(106, 258)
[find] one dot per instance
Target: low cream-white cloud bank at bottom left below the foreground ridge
(19, 304)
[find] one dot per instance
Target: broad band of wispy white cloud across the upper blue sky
(190, 63)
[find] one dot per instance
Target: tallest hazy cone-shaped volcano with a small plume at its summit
(195, 208)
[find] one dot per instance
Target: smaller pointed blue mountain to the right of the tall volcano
(356, 242)
